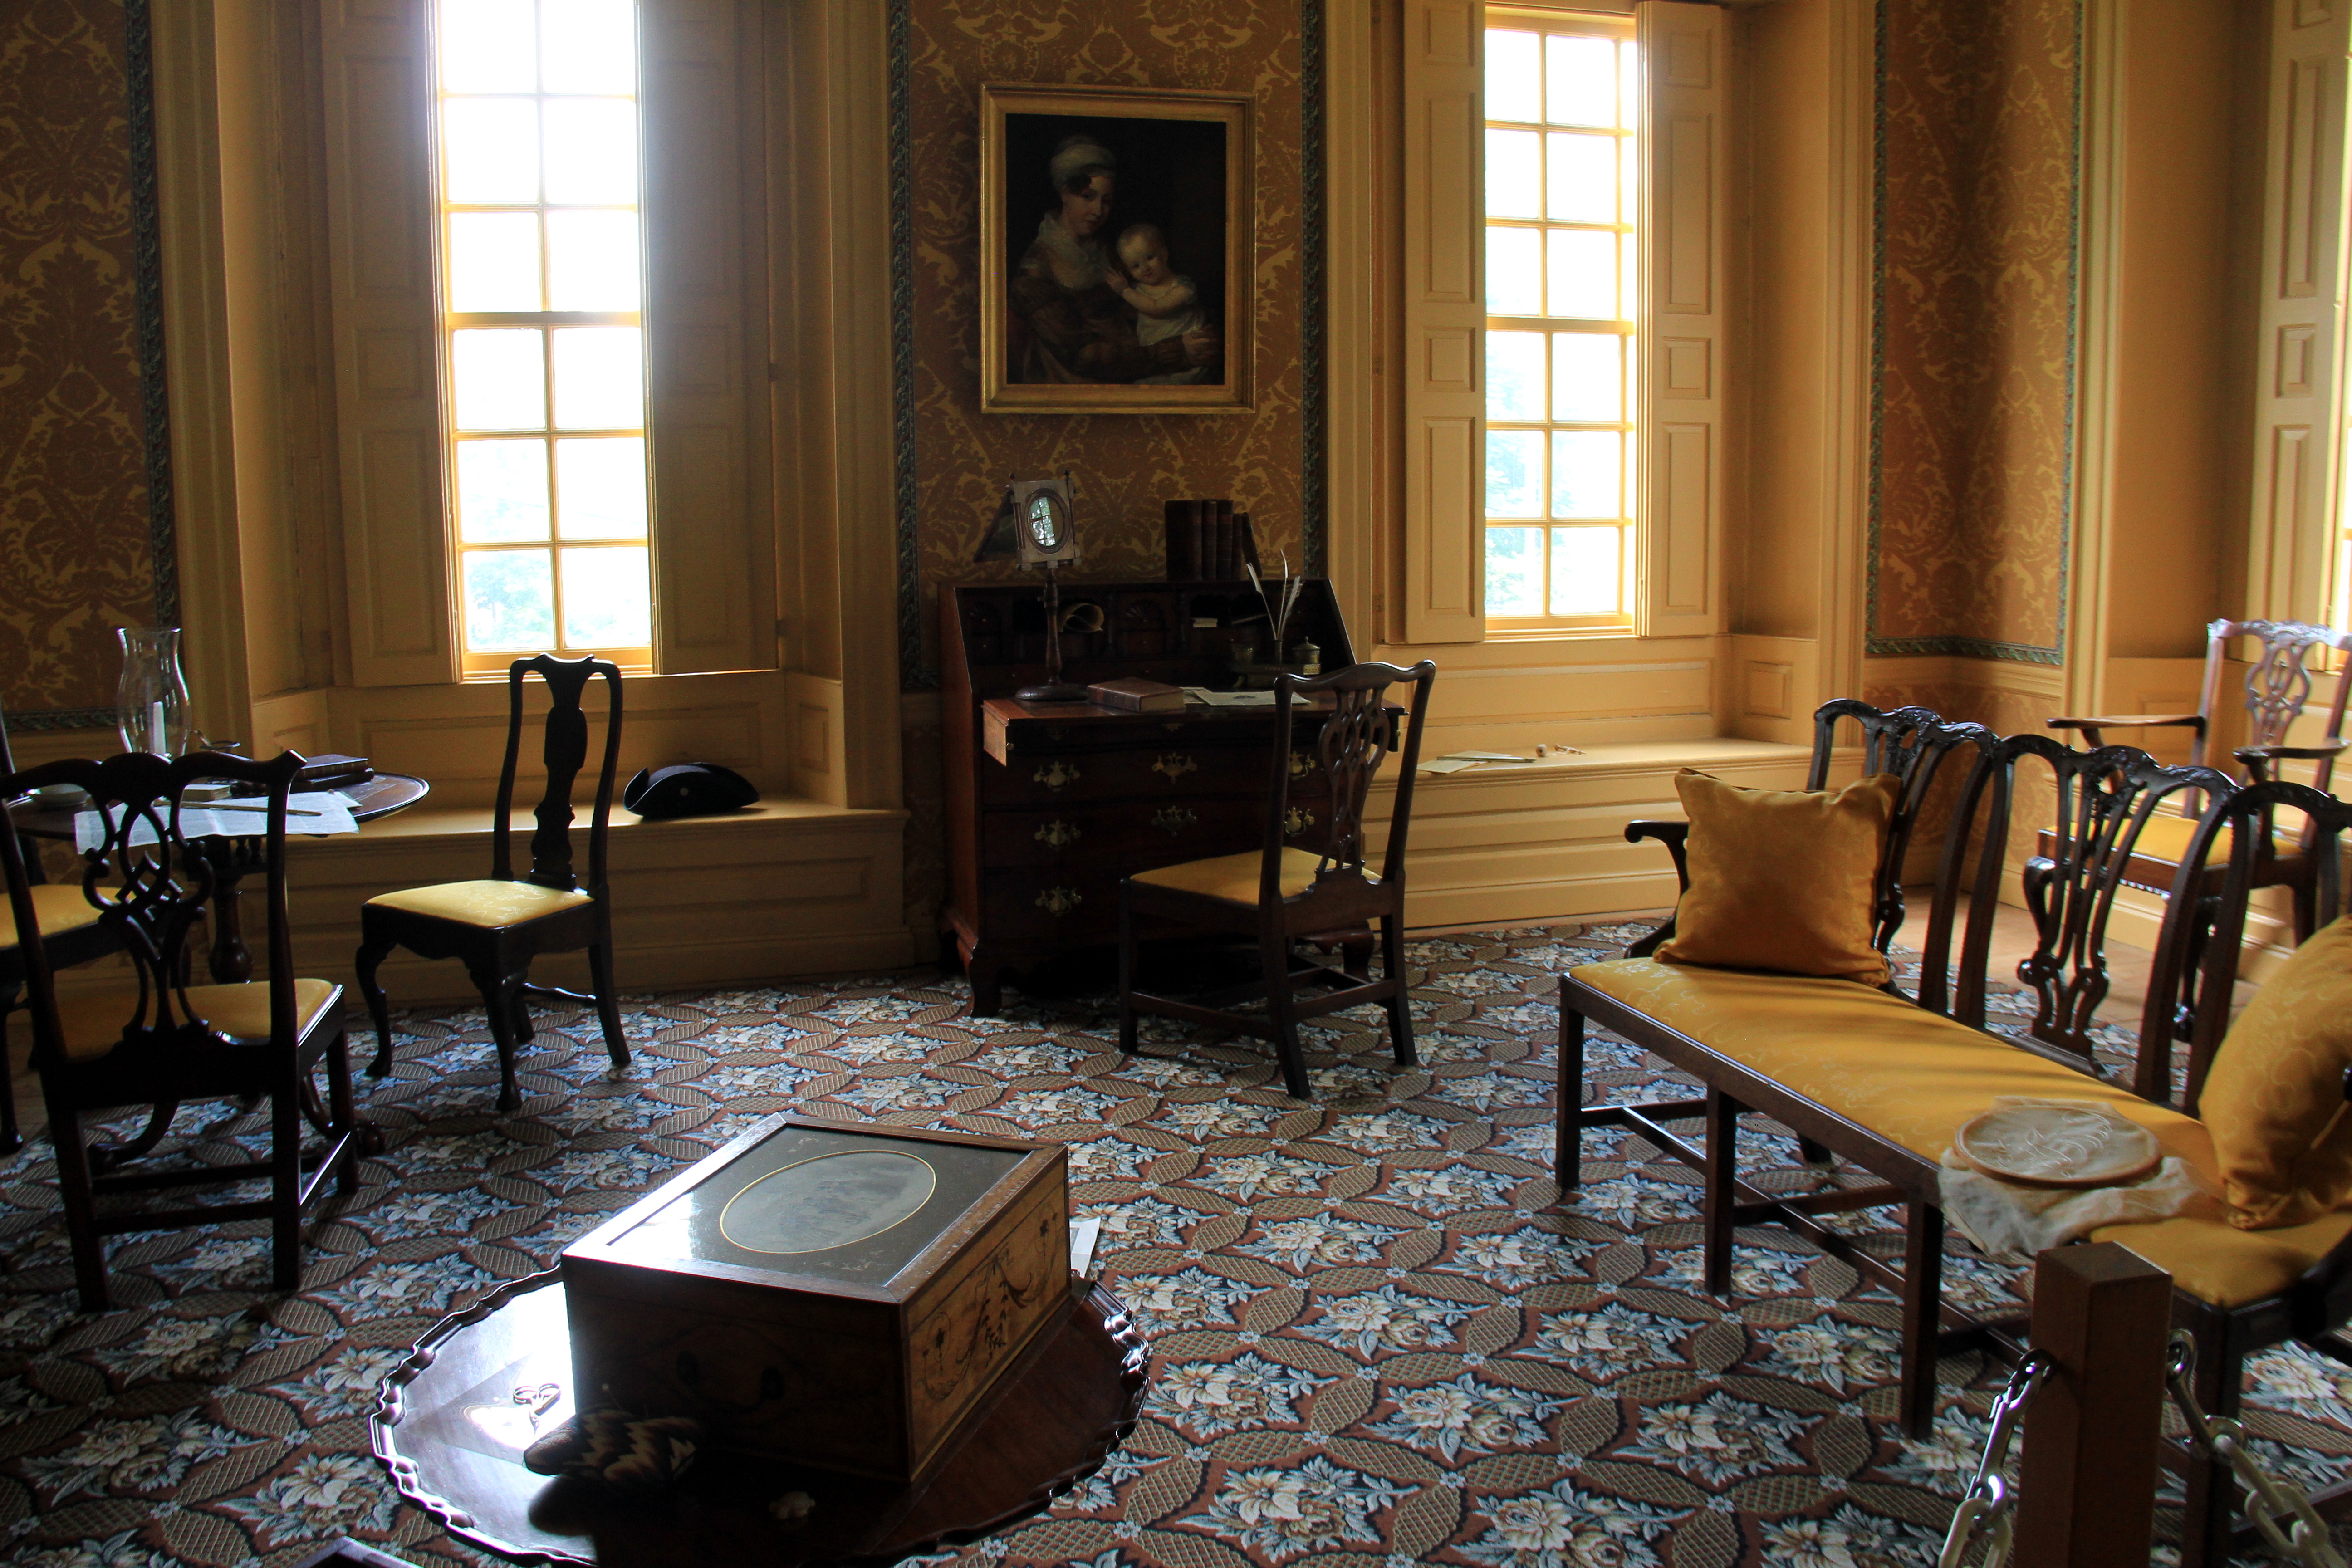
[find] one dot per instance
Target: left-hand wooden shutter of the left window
(387, 368)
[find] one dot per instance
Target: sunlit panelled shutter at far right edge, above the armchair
(2297, 394)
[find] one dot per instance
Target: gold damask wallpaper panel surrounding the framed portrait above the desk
(1125, 464)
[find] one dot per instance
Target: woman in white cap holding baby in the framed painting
(1067, 295)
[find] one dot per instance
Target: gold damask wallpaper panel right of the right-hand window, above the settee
(1979, 119)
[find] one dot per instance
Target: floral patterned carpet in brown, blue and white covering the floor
(1377, 1341)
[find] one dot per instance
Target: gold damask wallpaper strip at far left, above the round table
(76, 554)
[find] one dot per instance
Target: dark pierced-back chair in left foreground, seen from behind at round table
(161, 1040)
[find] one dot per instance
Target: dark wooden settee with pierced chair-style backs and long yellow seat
(1883, 1080)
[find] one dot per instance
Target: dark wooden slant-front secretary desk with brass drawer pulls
(1053, 803)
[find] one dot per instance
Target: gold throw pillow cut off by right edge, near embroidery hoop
(2276, 1094)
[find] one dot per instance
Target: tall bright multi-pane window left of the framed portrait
(542, 323)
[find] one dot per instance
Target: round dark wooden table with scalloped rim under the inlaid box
(457, 1414)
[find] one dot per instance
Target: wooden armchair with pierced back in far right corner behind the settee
(2278, 688)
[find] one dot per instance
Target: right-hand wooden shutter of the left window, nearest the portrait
(704, 187)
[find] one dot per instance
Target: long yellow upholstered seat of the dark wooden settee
(1916, 1078)
